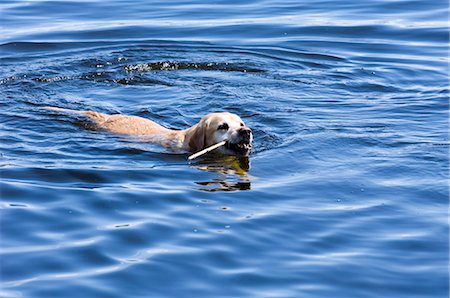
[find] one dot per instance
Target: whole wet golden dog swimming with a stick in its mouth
(211, 129)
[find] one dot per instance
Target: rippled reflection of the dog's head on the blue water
(232, 170)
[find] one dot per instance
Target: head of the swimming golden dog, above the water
(217, 127)
